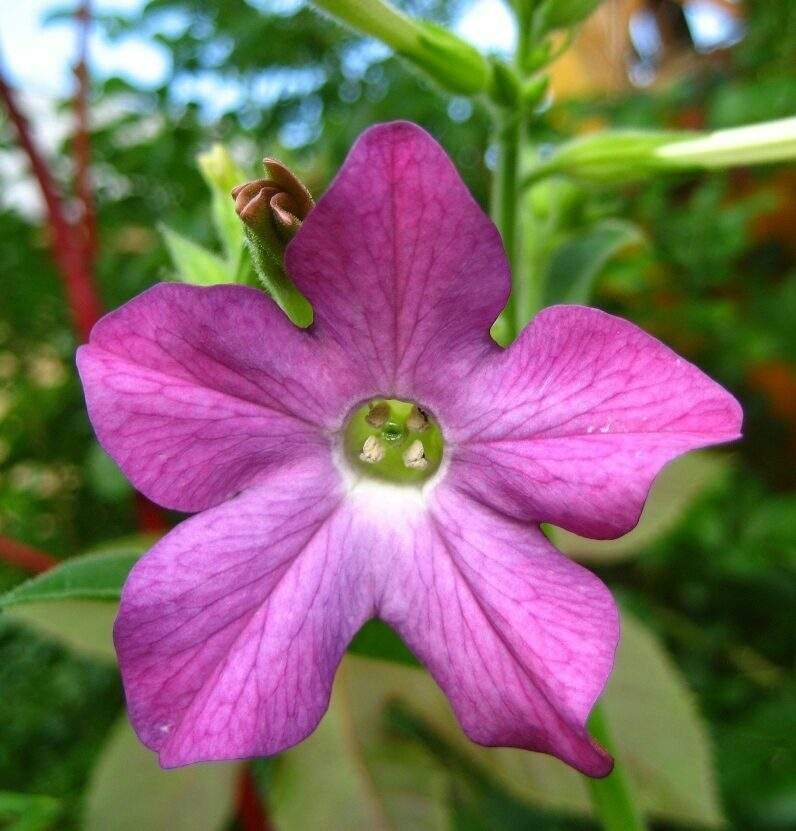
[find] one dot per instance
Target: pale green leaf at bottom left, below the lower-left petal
(130, 792)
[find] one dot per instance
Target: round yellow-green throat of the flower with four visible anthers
(395, 441)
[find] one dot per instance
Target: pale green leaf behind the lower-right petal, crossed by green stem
(655, 724)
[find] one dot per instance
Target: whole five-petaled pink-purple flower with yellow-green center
(231, 627)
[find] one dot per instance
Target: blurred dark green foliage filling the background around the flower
(716, 280)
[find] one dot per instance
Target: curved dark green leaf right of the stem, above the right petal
(575, 265)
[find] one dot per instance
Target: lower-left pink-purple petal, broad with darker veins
(231, 627)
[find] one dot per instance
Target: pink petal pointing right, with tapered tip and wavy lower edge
(579, 416)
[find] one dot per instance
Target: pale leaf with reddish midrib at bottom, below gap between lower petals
(366, 778)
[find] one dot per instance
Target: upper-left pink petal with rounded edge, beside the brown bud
(197, 392)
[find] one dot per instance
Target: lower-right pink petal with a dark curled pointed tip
(520, 638)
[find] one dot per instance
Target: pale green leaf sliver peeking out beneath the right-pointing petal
(677, 485)
